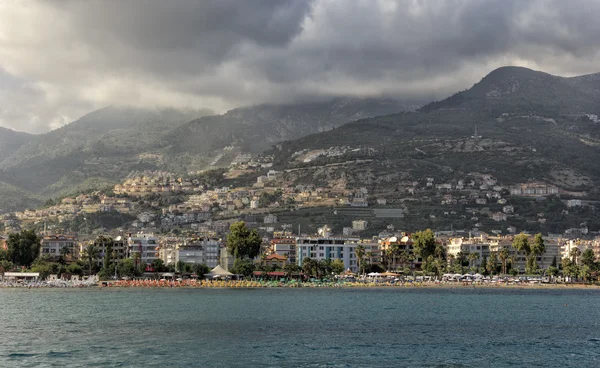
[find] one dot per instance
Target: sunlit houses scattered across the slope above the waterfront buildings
(252, 191)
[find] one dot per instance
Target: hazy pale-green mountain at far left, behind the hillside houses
(101, 146)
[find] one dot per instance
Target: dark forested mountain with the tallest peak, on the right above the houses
(516, 124)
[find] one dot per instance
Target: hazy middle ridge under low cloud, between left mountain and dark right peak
(256, 128)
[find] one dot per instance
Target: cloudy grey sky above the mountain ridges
(62, 59)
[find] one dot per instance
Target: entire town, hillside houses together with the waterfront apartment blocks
(176, 223)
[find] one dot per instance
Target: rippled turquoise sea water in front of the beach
(299, 328)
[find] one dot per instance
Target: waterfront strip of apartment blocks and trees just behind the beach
(423, 253)
